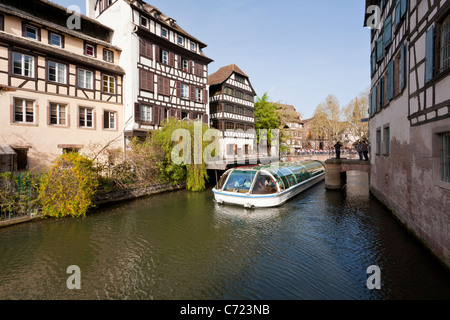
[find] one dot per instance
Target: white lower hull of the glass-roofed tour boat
(265, 201)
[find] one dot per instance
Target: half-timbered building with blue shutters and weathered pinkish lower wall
(410, 116)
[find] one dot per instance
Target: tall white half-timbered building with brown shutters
(166, 69)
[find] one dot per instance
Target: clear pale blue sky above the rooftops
(299, 51)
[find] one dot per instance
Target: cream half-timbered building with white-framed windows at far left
(63, 86)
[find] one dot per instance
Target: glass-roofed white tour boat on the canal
(267, 186)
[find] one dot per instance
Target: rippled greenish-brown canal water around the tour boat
(183, 246)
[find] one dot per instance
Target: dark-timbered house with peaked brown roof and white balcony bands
(232, 110)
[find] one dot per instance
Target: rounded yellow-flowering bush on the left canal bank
(68, 189)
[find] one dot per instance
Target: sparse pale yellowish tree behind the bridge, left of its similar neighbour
(326, 123)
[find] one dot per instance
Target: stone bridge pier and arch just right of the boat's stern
(336, 171)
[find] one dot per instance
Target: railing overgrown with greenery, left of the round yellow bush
(17, 195)
